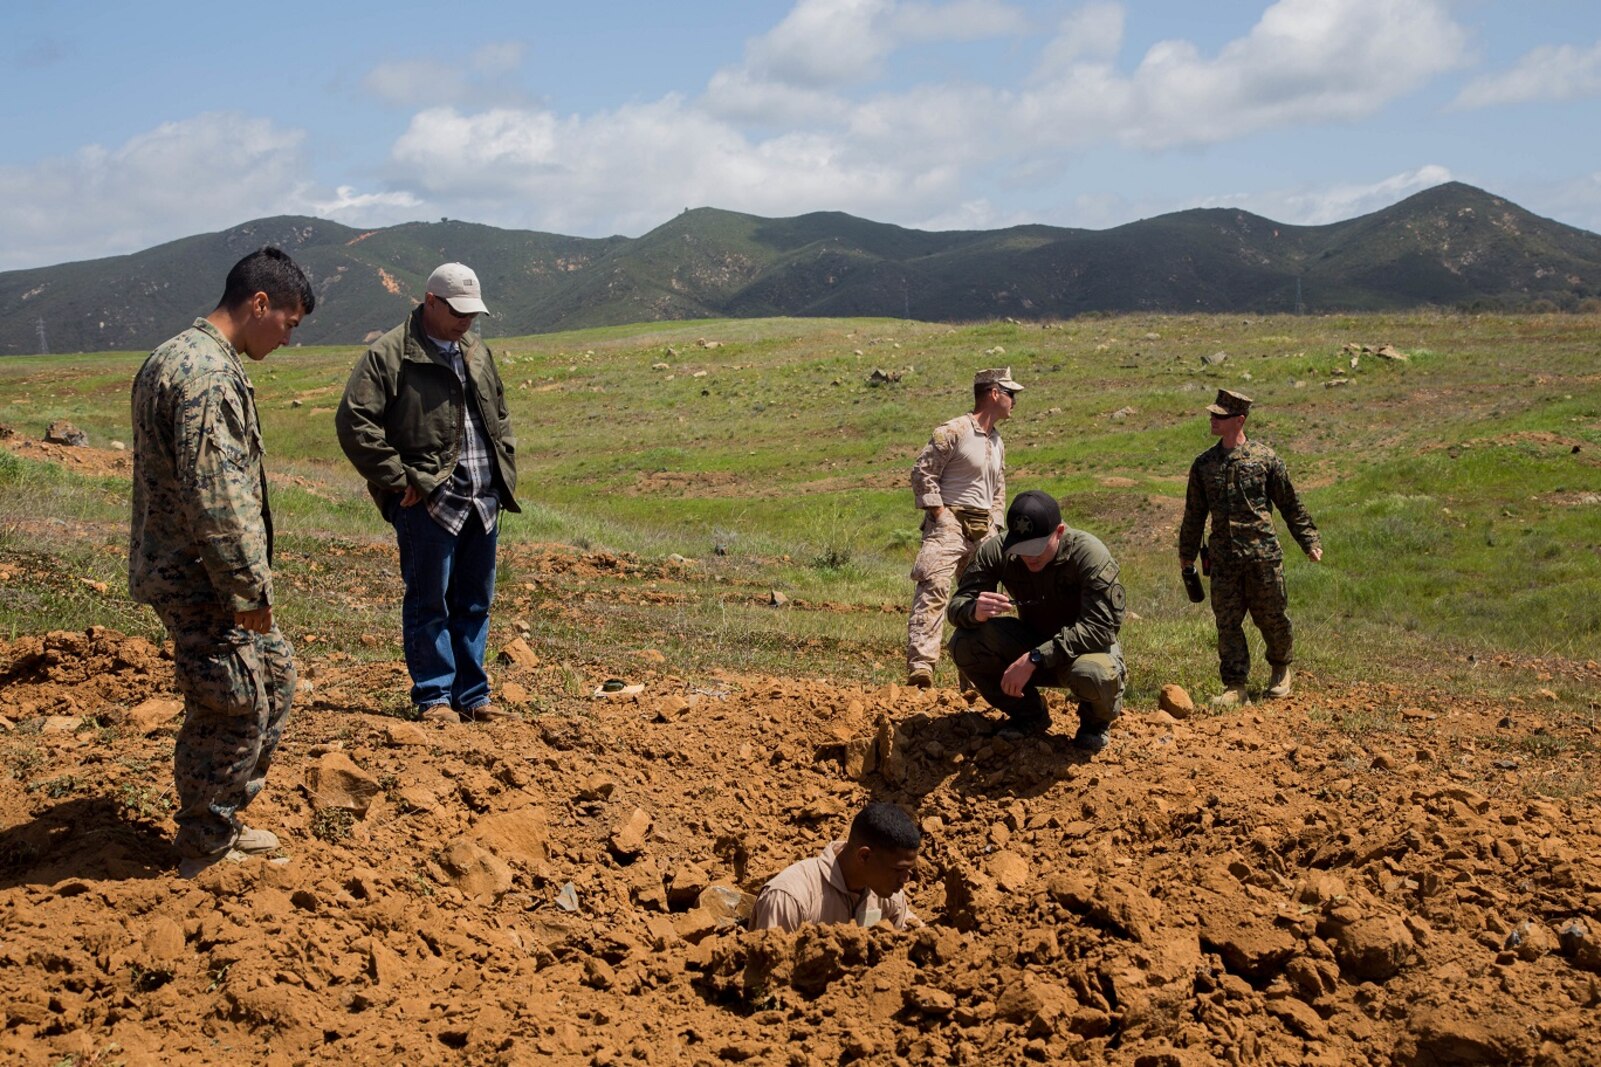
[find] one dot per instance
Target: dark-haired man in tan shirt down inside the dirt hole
(861, 880)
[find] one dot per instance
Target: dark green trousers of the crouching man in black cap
(985, 651)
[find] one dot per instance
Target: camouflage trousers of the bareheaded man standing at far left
(238, 688)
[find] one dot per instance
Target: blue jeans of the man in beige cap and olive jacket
(446, 613)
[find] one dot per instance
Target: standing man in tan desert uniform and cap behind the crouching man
(960, 483)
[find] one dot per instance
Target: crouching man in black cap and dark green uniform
(1064, 586)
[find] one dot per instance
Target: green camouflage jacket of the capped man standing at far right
(1240, 488)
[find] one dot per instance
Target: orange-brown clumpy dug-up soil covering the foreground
(1342, 877)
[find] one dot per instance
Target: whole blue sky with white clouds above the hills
(138, 124)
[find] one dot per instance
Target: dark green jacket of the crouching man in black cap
(1077, 598)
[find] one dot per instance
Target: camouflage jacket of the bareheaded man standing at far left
(201, 518)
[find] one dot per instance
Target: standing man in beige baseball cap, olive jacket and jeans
(425, 422)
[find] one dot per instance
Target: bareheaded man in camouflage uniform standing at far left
(201, 552)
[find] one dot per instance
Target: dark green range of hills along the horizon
(1451, 246)
